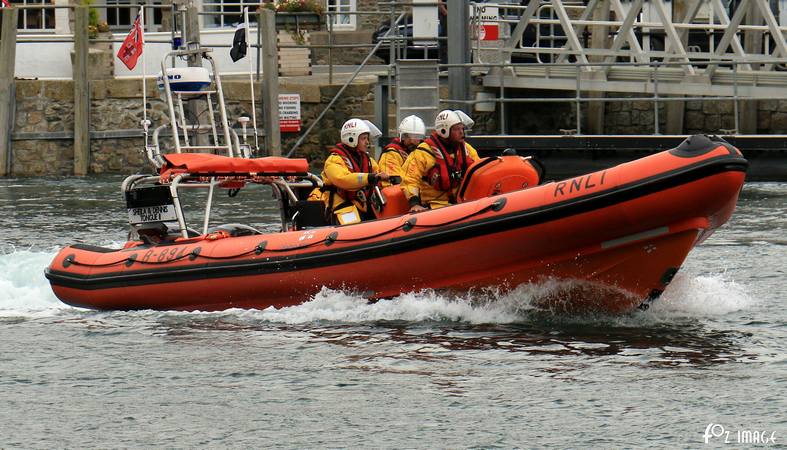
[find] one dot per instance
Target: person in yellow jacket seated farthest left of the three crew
(350, 174)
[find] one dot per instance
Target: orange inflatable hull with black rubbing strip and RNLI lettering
(609, 240)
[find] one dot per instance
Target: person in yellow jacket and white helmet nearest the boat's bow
(433, 171)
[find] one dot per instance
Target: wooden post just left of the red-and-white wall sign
(270, 87)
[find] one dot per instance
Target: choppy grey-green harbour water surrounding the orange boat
(421, 370)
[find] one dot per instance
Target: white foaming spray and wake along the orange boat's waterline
(25, 292)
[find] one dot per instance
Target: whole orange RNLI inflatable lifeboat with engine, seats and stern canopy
(613, 239)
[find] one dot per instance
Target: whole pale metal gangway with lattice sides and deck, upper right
(637, 47)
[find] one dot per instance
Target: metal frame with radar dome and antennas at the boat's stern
(223, 140)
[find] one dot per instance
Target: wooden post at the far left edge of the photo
(7, 88)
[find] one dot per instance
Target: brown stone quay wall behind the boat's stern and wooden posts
(42, 135)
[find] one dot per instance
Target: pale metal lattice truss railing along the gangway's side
(625, 35)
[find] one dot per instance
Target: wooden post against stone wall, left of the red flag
(81, 93)
